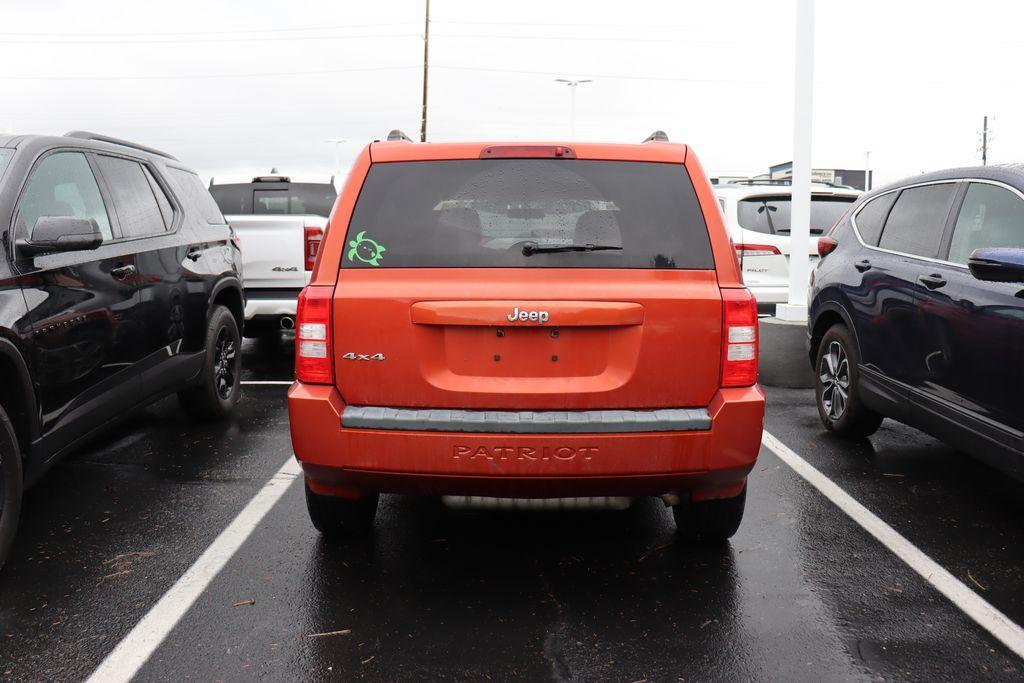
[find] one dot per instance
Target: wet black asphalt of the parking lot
(800, 593)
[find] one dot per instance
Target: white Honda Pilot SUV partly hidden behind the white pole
(757, 214)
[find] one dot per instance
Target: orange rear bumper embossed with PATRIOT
(705, 463)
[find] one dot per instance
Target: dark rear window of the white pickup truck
(276, 198)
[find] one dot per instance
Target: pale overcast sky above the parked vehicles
(244, 87)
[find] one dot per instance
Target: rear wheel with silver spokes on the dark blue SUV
(837, 388)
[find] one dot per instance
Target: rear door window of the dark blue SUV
(917, 221)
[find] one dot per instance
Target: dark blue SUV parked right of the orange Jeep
(917, 313)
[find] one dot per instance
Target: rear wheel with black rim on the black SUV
(220, 388)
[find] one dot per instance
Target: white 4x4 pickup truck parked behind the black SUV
(280, 221)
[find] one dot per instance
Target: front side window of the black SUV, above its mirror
(63, 185)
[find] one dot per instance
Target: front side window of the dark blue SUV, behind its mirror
(991, 217)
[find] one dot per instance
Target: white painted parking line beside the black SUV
(126, 660)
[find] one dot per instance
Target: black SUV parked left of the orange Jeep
(119, 285)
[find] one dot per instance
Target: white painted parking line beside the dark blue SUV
(988, 617)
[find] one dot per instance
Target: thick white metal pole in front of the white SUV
(803, 107)
